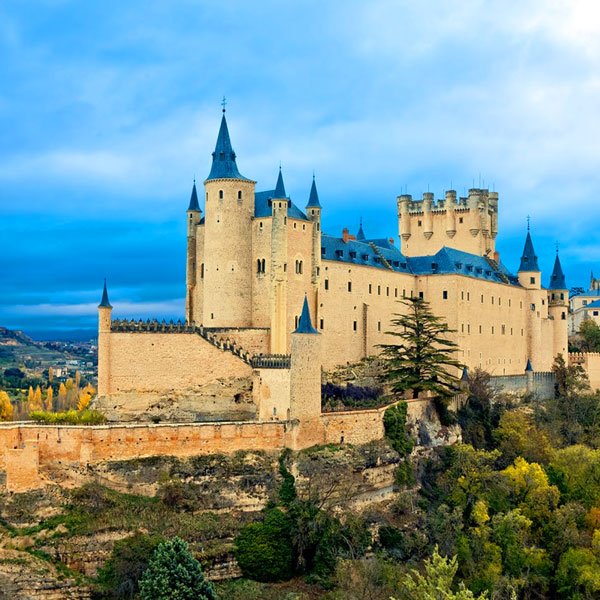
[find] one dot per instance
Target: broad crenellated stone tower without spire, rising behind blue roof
(469, 224)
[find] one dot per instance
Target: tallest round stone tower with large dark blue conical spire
(227, 246)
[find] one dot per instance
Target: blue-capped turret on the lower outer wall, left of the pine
(305, 370)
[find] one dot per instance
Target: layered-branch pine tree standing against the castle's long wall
(424, 358)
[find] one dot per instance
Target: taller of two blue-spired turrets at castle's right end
(530, 276)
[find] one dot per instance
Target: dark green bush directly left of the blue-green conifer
(121, 574)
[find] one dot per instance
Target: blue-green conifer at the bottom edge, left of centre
(174, 574)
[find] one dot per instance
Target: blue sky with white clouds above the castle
(108, 109)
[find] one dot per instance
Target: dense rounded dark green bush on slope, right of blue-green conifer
(264, 550)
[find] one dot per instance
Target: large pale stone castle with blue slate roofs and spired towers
(255, 258)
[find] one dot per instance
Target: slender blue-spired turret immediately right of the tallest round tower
(279, 258)
